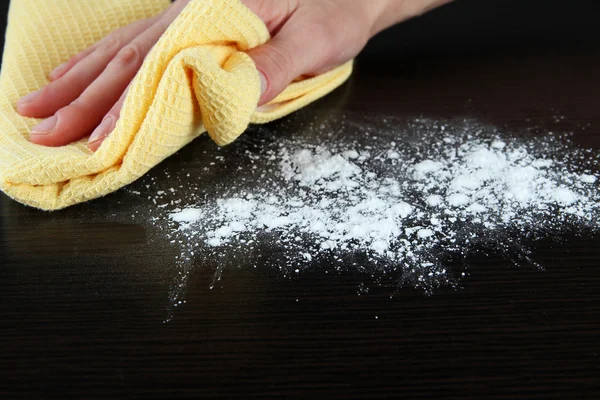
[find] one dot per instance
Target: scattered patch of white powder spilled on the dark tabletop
(404, 204)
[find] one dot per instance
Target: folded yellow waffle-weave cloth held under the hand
(197, 78)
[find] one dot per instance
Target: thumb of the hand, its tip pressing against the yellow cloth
(280, 61)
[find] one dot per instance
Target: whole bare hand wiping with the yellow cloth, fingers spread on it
(309, 37)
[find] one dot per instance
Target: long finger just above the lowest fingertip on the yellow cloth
(82, 115)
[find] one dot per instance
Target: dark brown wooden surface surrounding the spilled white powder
(82, 302)
